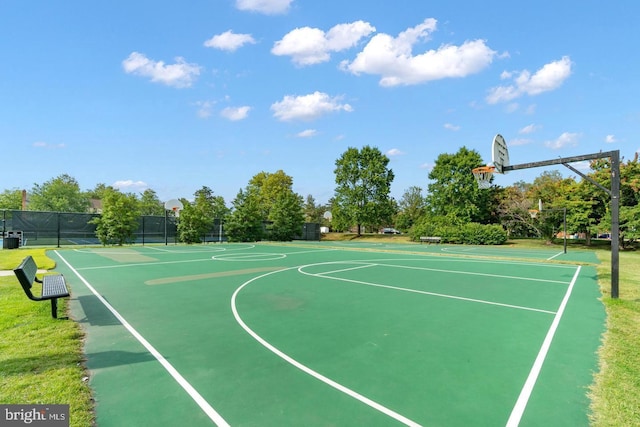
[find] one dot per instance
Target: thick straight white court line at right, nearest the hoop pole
(525, 394)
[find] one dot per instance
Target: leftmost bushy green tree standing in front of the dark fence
(119, 219)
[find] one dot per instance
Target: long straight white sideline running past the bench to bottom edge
(192, 392)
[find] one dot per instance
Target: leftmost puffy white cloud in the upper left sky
(180, 75)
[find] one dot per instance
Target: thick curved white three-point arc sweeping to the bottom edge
(308, 370)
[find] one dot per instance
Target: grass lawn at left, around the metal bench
(41, 359)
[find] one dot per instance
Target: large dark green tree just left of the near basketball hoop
(454, 193)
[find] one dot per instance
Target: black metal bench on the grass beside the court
(53, 286)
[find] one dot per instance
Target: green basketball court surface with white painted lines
(336, 334)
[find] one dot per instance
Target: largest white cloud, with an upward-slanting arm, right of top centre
(393, 60)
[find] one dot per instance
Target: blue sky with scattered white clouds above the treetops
(174, 96)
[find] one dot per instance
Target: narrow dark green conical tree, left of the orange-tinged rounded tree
(245, 224)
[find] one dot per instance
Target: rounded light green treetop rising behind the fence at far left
(60, 194)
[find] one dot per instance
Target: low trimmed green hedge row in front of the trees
(469, 234)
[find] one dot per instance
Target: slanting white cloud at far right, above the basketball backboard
(549, 77)
